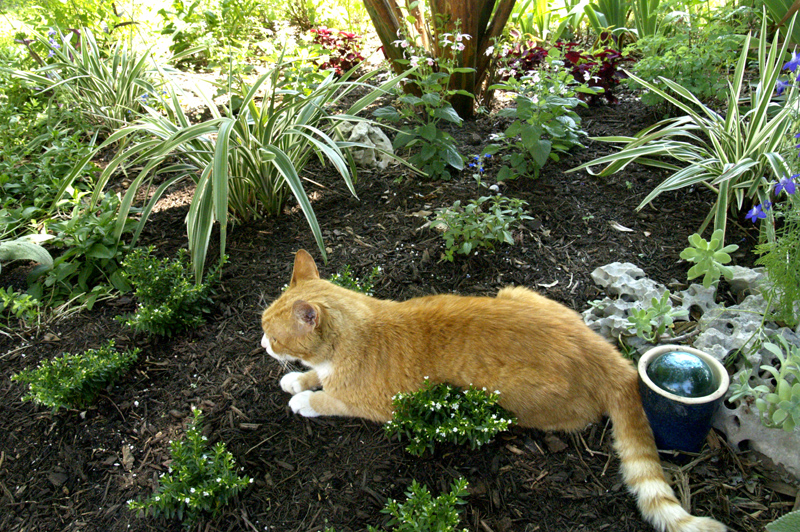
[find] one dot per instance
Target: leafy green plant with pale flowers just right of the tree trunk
(544, 124)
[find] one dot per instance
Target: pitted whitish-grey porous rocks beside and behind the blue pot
(723, 332)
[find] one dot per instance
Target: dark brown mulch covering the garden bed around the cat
(69, 471)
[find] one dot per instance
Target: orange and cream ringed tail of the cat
(641, 468)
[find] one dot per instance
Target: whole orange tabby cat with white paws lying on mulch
(552, 371)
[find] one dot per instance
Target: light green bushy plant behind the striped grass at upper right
(690, 48)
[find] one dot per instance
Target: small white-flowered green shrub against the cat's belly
(442, 413)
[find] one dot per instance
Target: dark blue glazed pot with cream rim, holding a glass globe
(680, 423)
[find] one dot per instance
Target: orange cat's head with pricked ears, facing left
(293, 323)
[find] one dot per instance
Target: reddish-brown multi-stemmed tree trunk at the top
(476, 20)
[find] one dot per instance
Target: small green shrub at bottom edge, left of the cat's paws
(201, 480)
